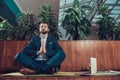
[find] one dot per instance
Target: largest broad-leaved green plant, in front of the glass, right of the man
(75, 23)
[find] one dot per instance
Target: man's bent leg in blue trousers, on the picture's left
(28, 62)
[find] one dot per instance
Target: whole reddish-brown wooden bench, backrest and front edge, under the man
(78, 54)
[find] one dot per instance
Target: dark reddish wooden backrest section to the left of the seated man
(8, 51)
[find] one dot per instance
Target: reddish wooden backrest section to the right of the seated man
(79, 54)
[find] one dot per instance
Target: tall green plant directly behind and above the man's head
(47, 15)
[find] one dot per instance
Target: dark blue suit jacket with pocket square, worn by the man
(52, 46)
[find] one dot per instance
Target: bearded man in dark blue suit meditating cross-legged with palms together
(42, 54)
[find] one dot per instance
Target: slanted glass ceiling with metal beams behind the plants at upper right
(114, 8)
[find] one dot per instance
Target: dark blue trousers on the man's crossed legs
(30, 62)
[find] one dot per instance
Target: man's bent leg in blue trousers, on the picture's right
(56, 60)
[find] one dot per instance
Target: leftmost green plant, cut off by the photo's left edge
(5, 30)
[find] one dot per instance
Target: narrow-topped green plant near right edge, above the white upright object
(106, 29)
